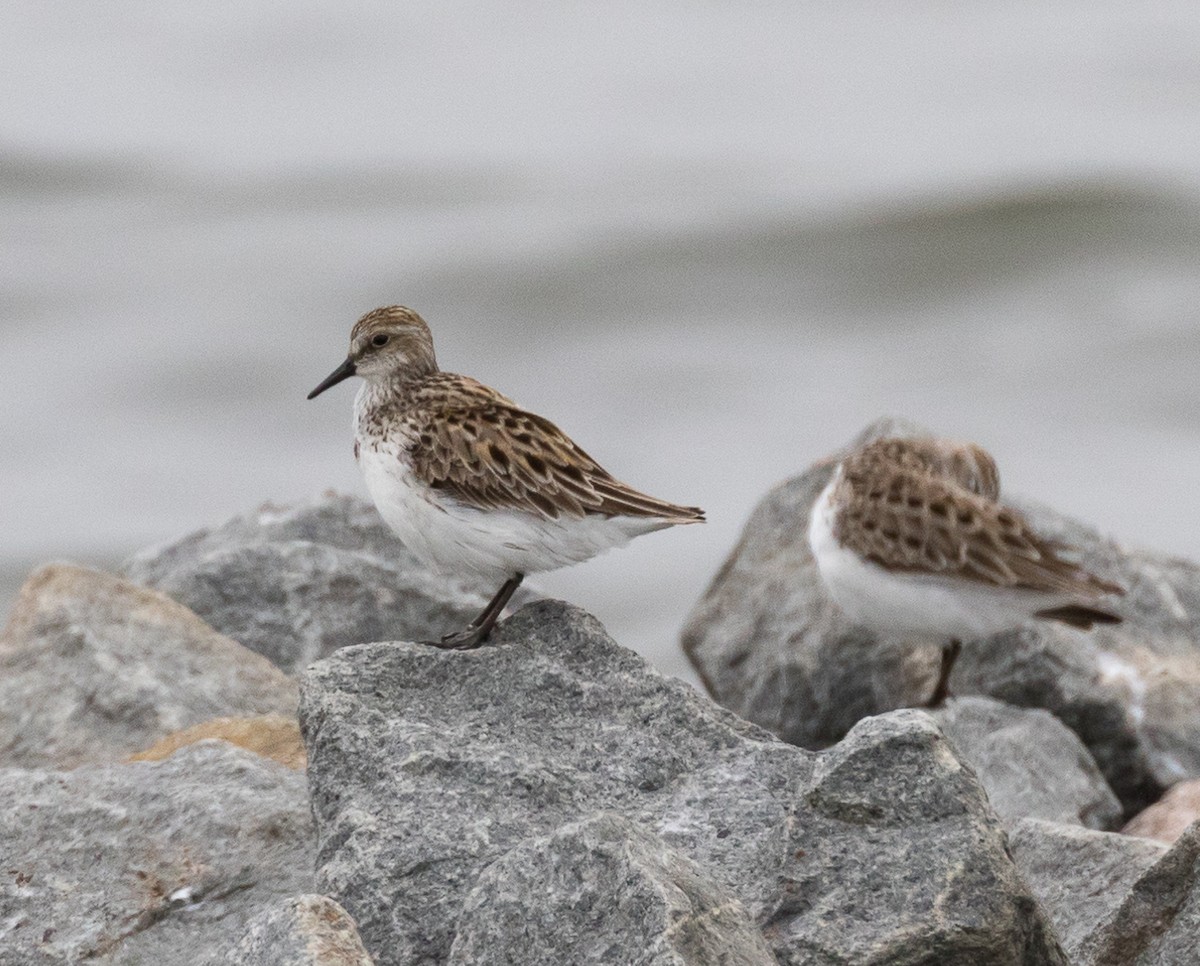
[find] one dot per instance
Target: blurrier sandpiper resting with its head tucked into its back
(910, 537)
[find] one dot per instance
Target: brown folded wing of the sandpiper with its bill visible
(485, 452)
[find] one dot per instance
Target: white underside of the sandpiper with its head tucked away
(914, 604)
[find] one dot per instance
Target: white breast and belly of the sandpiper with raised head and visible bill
(491, 545)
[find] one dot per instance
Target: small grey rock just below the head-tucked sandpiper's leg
(1030, 764)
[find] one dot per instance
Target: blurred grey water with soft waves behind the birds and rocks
(711, 239)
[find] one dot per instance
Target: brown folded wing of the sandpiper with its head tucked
(909, 520)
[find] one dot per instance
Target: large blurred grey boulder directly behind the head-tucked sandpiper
(771, 645)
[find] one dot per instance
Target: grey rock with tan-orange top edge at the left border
(94, 669)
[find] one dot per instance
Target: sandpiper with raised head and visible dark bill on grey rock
(473, 484)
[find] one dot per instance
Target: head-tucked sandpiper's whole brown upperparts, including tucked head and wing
(931, 507)
